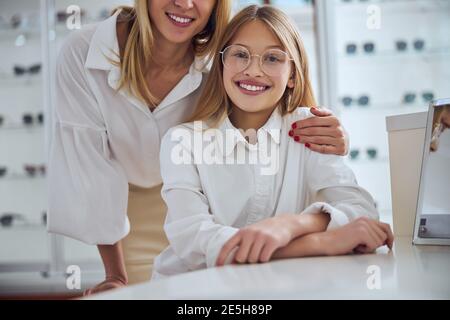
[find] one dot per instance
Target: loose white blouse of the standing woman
(103, 139)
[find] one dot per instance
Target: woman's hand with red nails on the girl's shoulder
(322, 133)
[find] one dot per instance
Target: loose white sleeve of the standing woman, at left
(88, 189)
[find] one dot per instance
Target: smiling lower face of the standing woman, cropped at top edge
(178, 21)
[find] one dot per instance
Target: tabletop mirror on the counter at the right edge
(432, 225)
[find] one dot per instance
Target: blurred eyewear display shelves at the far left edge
(25, 244)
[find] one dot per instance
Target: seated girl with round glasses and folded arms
(224, 208)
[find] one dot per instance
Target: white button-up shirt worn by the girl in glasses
(208, 201)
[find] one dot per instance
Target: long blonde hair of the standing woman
(140, 45)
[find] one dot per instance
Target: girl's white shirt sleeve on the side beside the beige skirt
(194, 235)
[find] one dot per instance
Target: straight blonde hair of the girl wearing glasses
(214, 104)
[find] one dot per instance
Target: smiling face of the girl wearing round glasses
(256, 88)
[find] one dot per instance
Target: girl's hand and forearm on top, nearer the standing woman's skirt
(258, 242)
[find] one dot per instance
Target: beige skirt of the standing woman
(146, 212)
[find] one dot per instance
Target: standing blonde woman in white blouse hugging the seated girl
(121, 84)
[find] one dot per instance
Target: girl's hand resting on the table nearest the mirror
(362, 235)
